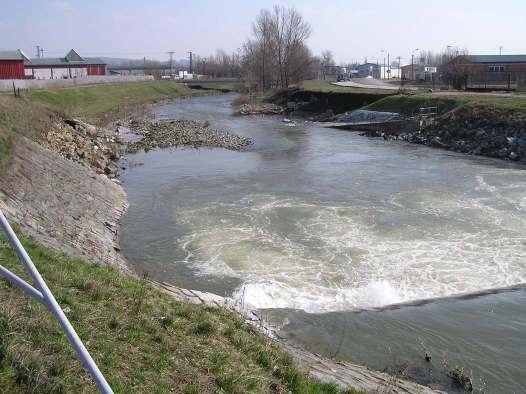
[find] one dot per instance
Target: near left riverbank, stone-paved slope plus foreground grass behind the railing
(64, 204)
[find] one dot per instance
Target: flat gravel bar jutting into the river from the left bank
(174, 133)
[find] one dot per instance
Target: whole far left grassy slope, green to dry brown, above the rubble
(33, 113)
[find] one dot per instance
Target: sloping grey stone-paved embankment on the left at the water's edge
(63, 204)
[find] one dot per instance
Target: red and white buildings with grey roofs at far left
(16, 65)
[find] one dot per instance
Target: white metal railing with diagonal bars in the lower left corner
(42, 294)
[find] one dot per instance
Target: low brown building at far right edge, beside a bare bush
(489, 71)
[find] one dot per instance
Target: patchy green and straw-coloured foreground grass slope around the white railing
(142, 340)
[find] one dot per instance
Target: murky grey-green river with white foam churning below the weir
(329, 232)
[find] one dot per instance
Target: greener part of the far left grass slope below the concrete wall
(94, 103)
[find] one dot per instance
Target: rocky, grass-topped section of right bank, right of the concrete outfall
(474, 125)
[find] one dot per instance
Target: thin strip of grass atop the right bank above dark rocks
(409, 104)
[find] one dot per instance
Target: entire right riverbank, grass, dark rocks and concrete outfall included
(487, 125)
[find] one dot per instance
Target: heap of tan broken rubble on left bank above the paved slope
(95, 147)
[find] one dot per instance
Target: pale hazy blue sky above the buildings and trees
(351, 29)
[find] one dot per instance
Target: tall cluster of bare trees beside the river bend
(277, 55)
